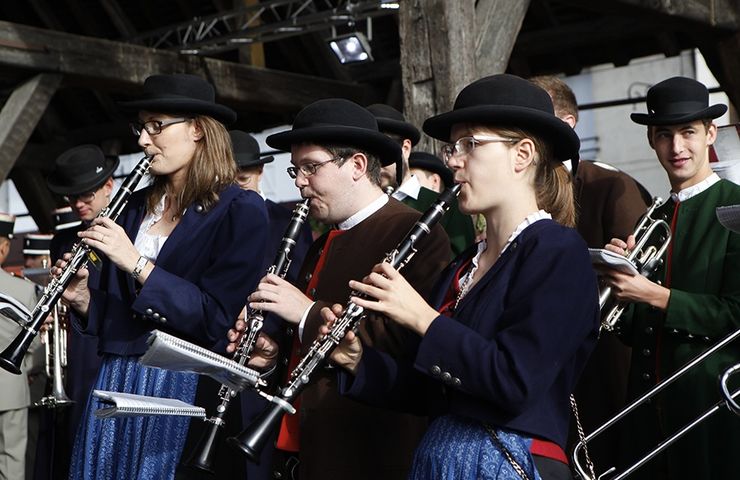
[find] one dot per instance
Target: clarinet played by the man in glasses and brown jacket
(203, 455)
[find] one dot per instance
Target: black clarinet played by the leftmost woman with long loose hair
(12, 357)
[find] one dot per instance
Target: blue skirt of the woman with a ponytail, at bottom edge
(457, 448)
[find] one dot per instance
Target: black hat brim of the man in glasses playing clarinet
(387, 150)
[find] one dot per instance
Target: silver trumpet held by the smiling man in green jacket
(652, 237)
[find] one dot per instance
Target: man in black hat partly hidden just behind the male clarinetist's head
(407, 188)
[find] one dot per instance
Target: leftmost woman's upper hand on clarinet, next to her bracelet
(110, 239)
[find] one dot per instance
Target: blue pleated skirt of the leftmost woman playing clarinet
(143, 448)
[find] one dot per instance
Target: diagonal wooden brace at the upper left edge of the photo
(21, 114)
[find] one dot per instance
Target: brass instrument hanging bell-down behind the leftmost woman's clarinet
(56, 359)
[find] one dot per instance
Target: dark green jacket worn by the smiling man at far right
(704, 306)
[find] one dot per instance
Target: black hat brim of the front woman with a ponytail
(558, 134)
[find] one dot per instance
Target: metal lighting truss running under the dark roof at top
(266, 21)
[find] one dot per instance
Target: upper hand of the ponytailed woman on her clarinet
(394, 297)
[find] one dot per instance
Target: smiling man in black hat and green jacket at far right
(695, 298)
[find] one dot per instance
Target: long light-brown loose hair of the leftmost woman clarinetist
(211, 169)
